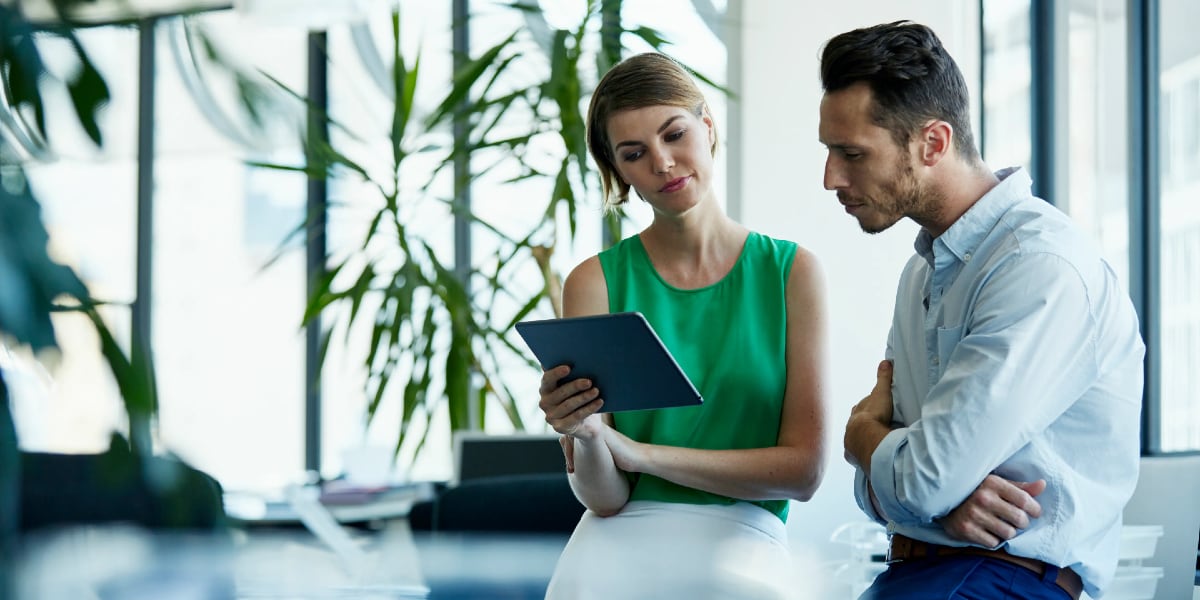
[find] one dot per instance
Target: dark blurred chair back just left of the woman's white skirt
(541, 503)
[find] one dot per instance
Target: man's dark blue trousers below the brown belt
(964, 578)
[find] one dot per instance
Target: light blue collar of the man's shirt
(965, 235)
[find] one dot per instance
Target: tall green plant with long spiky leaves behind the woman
(439, 333)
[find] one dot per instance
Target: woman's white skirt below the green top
(656, 550)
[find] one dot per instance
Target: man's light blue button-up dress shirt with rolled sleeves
(1028, 363)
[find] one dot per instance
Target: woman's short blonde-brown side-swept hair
(643, 81)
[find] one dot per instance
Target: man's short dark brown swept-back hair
(911, 76)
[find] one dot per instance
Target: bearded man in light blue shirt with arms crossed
(1015, 355)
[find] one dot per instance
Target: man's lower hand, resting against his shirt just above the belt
(995, 513)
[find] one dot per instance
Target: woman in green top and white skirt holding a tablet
(689, 502)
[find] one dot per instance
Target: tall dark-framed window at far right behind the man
(1139, 206)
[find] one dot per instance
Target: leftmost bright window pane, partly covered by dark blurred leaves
(88, 199)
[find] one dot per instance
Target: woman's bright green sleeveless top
(730, 338)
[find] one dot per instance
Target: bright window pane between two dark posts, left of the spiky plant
(227, 337)
